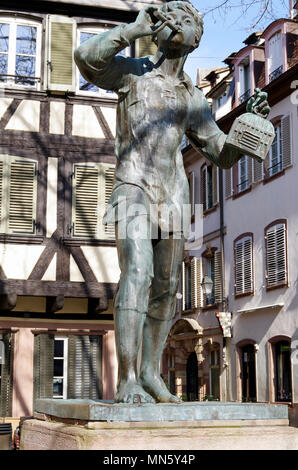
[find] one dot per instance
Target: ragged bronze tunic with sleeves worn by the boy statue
(154, 112)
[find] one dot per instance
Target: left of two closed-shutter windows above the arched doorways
(243, 261)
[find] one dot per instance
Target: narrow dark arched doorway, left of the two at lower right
(248, 373)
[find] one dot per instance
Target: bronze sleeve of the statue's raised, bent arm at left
(96, 59)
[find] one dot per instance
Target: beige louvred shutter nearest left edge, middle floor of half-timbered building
(22, 196)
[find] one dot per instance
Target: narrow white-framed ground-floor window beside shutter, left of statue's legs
(60, 367)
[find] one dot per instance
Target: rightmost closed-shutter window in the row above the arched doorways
(276, 255)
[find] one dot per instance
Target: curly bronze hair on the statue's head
(181, 7)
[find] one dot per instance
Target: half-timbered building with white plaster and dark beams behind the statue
(58, 263)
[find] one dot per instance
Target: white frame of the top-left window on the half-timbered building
(14, 22)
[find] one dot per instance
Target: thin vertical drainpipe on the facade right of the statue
(224, 306)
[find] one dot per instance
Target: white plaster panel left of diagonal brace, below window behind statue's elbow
(85, 123)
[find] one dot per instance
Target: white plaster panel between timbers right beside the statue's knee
(103, 261)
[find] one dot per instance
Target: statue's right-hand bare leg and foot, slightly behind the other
(168, 256)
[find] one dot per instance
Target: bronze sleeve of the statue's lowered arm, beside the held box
(206, 137)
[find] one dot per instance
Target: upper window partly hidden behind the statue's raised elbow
(83, 87)
